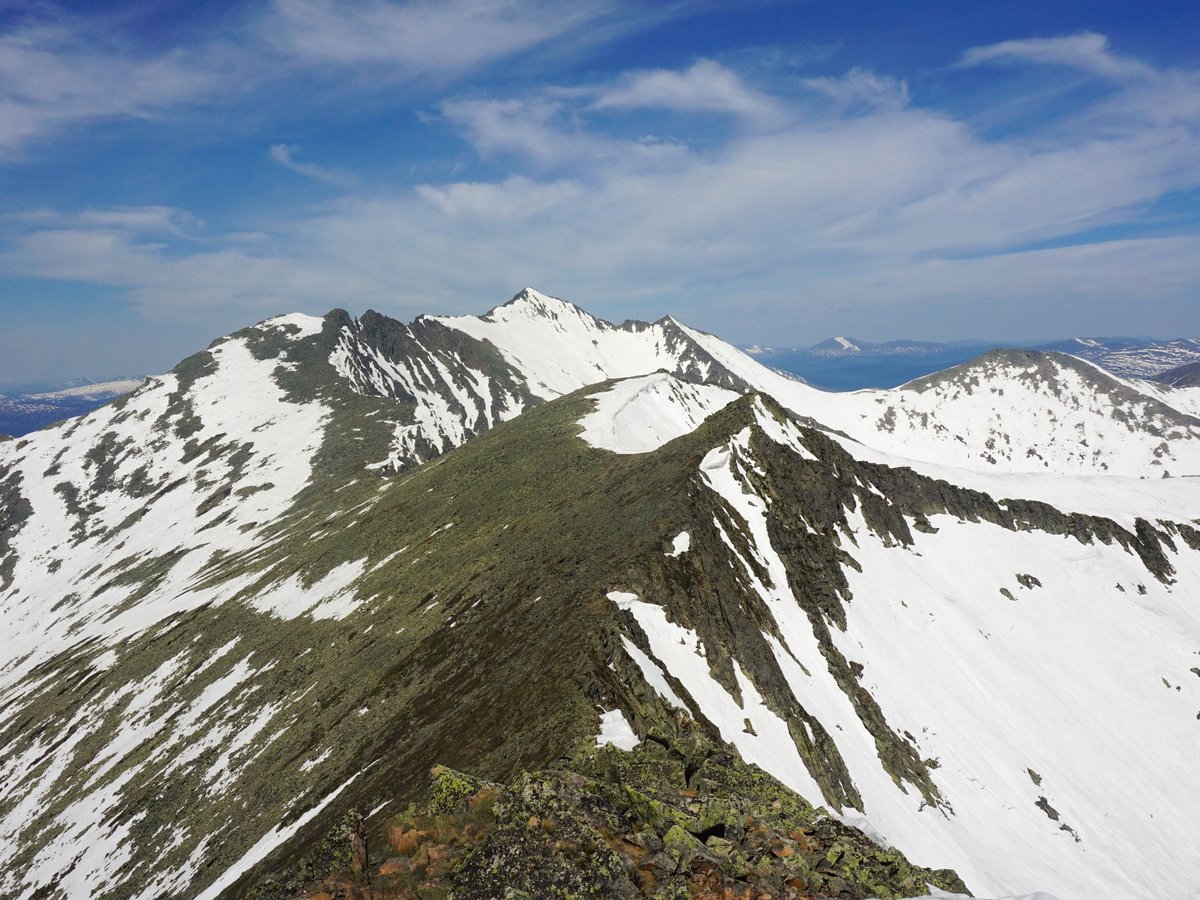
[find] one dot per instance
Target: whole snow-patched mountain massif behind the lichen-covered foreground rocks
(281, 581)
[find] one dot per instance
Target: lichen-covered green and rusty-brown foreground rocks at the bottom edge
(674, 819)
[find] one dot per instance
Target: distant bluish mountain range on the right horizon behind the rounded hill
(849, 364)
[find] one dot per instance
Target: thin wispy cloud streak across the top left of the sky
(61, 73)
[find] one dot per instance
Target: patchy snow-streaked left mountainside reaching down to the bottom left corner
(195, 466)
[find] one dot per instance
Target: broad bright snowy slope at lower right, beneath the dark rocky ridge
(1052, 680)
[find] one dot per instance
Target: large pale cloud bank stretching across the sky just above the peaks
(868, 207)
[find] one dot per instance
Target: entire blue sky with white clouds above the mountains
(772, 172)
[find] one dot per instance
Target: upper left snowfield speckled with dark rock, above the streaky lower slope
(121, 479)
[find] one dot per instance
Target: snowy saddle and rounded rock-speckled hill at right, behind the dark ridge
(1007, 412)
